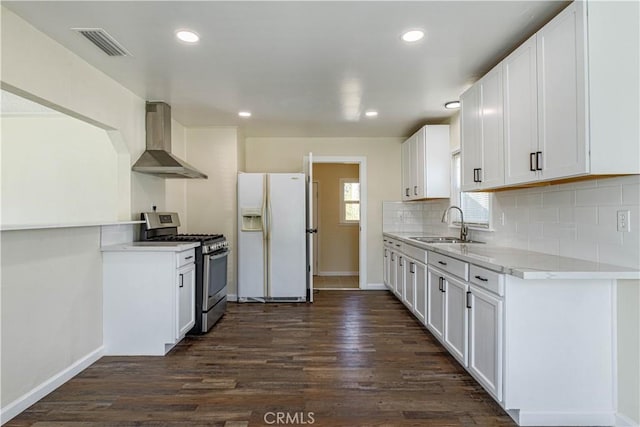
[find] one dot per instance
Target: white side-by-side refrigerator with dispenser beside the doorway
(272, 260)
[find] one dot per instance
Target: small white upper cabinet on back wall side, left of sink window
(426, 164)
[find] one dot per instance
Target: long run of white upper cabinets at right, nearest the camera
(570, 103)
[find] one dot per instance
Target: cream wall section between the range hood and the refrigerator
(212, 203)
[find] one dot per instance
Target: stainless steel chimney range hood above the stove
(157, 159)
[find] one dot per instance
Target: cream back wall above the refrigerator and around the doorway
(383, 175)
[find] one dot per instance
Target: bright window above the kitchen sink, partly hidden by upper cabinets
(476, 206)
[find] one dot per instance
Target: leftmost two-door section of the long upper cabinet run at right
(482, 133)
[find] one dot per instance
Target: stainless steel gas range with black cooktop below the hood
(211, 265)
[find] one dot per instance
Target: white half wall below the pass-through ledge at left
(51, 305)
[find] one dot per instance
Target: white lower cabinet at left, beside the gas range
(149, 300)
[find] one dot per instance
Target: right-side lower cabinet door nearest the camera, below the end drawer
(485, 340)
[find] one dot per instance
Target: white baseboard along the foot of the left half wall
(23, 402)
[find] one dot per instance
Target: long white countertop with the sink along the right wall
(522, 263)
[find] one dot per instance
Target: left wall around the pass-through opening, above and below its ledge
(51, 299)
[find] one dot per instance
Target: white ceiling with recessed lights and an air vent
(303, 68)
